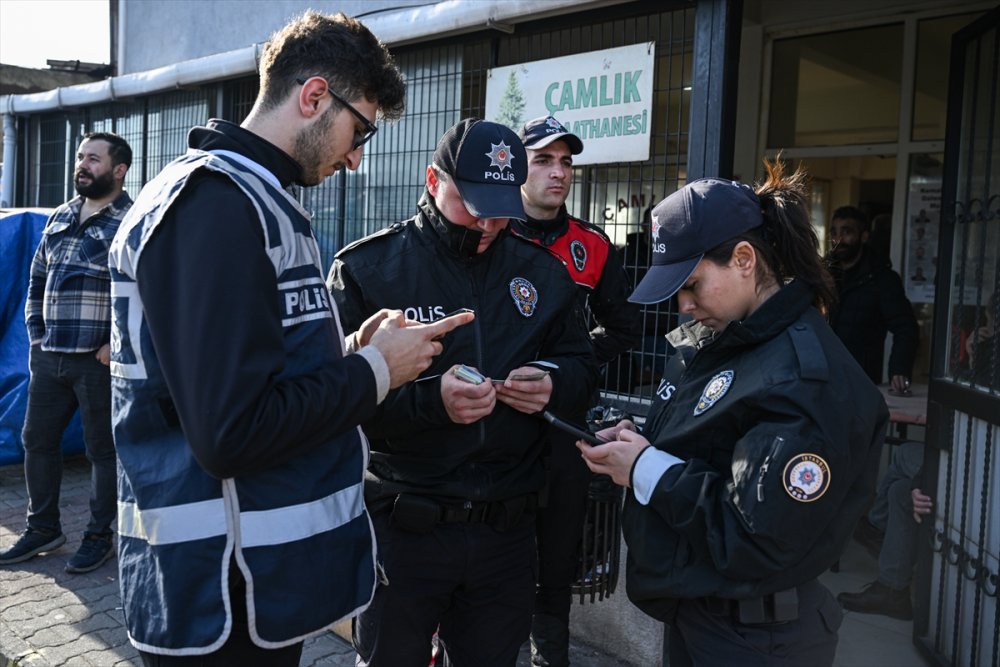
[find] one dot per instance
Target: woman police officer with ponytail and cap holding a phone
(761, 447)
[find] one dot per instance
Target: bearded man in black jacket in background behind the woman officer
(870, 302)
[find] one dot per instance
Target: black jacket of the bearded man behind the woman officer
(872, 302)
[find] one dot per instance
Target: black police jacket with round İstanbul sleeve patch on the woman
(755, 412)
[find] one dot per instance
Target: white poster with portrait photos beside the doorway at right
(923, 218)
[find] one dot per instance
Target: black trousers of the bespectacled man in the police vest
(239, 649)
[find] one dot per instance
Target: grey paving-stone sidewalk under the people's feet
(50, 618)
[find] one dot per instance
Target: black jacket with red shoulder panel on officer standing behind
(594, 265)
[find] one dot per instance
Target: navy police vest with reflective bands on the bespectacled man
(299, 532)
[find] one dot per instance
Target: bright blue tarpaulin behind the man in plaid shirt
(20, 232)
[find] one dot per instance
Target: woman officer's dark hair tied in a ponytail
(786, 242)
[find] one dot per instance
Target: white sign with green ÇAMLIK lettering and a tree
(604, 97)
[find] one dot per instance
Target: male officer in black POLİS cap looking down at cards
(457, 465)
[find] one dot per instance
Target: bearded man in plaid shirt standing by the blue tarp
(68, 313)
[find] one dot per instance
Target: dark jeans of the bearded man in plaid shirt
(61, 382)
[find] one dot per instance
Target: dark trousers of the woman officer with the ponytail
(700, 637)
